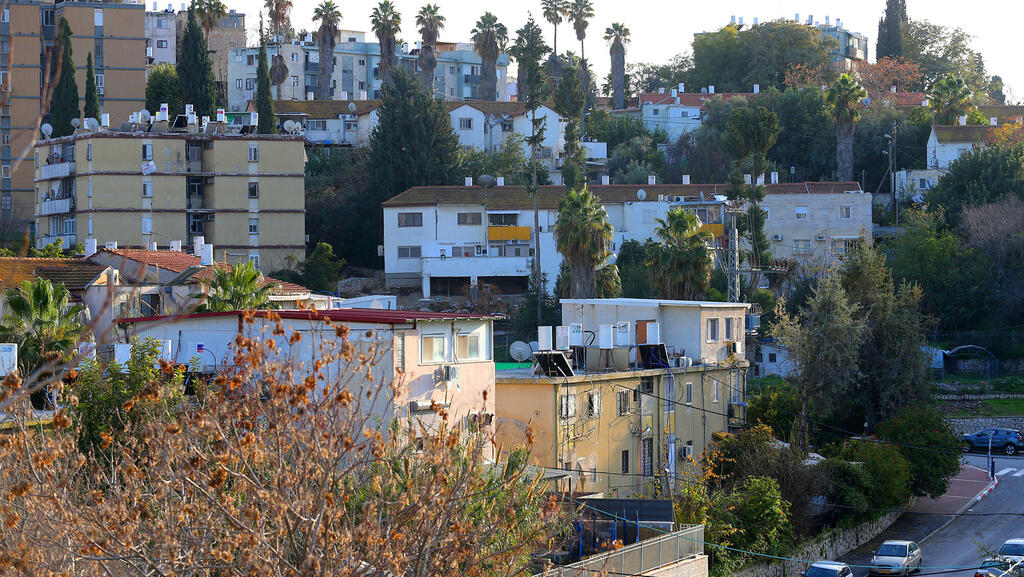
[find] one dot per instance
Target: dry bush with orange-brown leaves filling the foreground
(280, 469)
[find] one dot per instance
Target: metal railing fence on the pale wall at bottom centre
(638, 558)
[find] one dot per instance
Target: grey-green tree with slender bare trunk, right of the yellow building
(825, 345)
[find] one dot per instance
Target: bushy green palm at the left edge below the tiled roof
(47, 327)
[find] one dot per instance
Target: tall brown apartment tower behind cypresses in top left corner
(113, 32)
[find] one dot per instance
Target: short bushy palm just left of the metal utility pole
(679, 266)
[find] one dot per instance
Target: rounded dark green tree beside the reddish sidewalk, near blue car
(929, 445)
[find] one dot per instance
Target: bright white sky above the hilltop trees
(662, 29)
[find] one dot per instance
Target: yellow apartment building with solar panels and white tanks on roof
(659, 382)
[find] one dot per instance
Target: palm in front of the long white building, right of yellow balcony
(583, 234)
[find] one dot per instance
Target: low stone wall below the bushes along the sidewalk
(829, 547)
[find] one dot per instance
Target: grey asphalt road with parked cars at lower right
(961, 543)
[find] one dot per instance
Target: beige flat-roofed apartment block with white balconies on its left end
(150, 185)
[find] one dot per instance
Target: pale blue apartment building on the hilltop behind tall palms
(356, 73)
